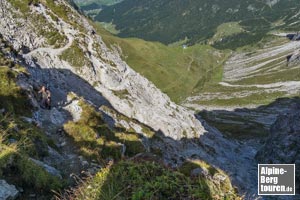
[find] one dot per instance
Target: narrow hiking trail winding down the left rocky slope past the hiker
(65, 157)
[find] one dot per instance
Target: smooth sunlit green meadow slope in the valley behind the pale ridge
(176, 71)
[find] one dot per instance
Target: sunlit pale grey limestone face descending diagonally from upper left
(125, 90)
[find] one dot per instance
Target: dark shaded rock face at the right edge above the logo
(282, 146)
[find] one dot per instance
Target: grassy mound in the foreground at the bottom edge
(141, 179)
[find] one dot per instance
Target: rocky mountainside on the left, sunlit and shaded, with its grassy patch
(59, 48)
